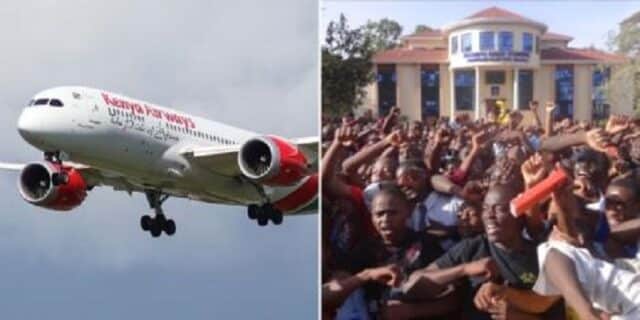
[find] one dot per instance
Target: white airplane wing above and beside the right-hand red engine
(224, 159)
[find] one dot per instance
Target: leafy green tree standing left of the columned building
(346, 61)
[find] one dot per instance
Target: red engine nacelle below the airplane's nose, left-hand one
(52, 186)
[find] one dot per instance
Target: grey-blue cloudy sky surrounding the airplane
(245, 63)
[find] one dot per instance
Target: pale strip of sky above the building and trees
(588, 22)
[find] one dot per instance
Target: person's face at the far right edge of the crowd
(620, 204)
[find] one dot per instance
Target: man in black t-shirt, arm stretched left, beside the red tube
(489, 267)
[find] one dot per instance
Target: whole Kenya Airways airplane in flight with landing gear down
(91, 137)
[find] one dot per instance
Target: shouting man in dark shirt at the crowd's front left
(396, 244)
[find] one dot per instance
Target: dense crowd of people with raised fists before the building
(418, 221)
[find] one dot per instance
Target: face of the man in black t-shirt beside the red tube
(501, 227)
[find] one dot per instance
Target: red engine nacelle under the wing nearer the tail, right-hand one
(273, 161)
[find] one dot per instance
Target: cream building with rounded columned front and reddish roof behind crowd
(493, 55)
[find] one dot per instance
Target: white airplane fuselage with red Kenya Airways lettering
(135, 144)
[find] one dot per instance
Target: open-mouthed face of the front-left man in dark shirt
(389, 215)
